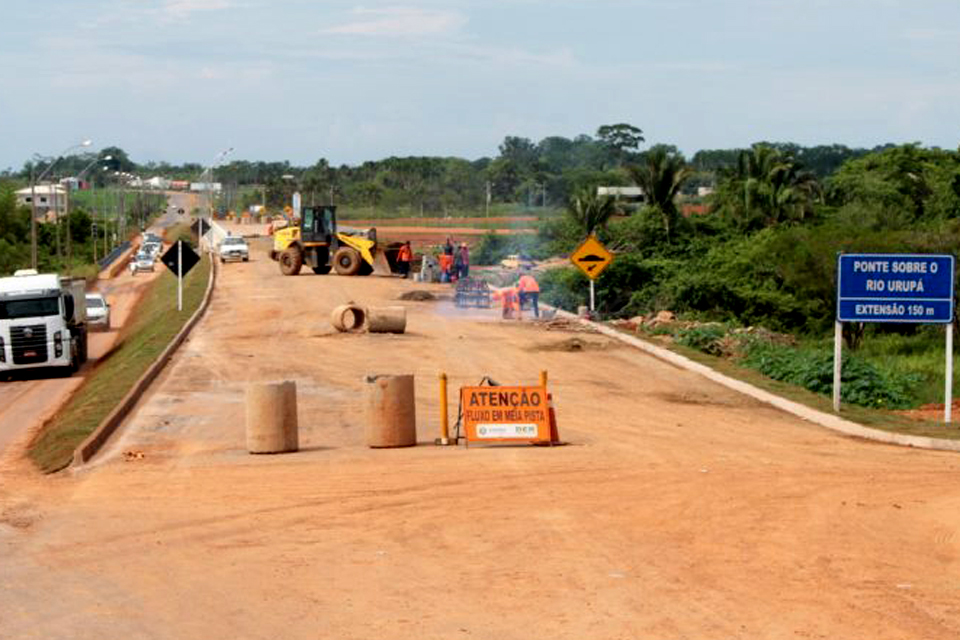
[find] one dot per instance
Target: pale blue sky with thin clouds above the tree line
(183, 80)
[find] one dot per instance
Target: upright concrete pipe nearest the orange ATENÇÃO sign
(391, 411)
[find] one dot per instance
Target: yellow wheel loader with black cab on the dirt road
(320, 244)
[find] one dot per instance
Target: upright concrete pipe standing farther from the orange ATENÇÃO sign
(272, 417)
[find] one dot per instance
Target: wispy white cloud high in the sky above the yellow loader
(401, 22)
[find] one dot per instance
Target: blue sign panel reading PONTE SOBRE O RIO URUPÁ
(895, 287)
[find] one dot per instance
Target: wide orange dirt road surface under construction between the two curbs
(678, 510)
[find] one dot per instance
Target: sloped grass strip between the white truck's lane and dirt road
(139, 344)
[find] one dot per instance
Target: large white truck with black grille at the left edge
(42, 321)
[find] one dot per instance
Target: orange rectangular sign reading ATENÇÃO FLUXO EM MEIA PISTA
(506, 414)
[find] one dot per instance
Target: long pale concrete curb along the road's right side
(826, 420)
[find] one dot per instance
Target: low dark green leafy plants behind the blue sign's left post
(862, 383)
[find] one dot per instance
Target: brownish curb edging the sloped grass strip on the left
(95, 441)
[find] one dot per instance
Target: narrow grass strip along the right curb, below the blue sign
(876, 418)
